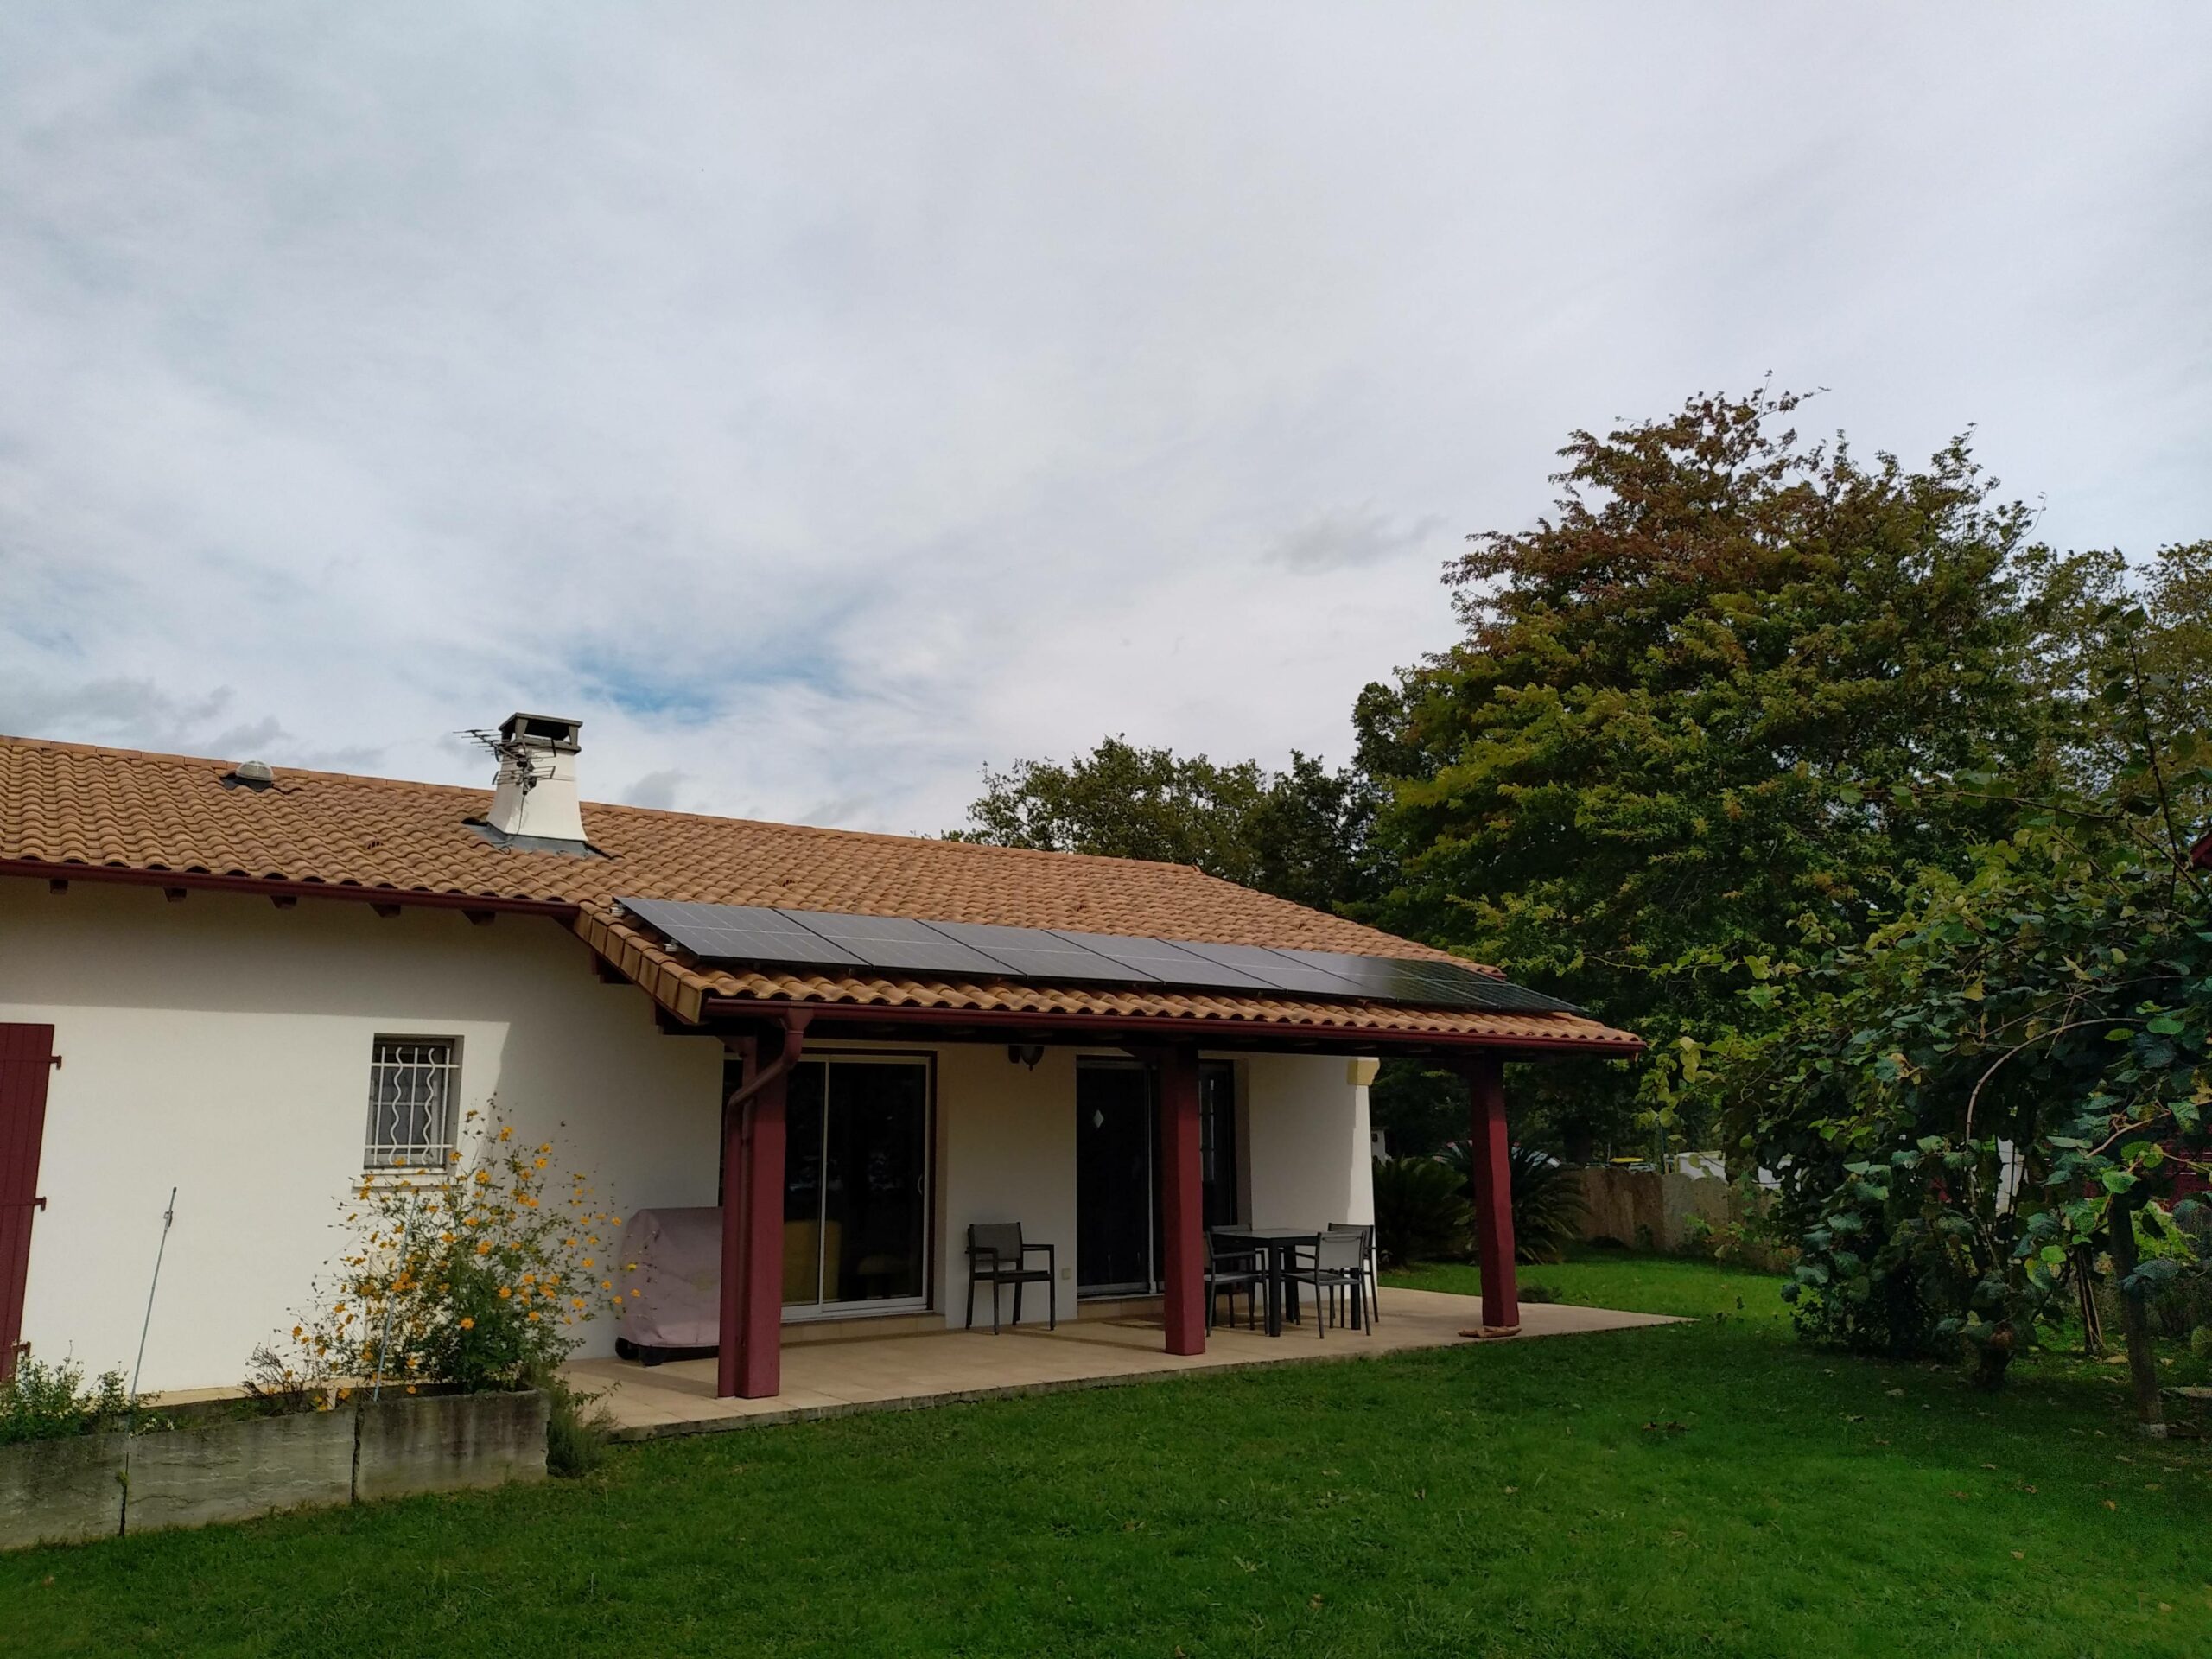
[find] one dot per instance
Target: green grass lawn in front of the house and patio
(1691, 1490)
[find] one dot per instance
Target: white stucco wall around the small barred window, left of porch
(222, 1047)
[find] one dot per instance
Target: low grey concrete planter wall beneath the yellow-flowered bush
(98, 1485)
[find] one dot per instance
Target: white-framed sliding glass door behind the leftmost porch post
(857, 1187)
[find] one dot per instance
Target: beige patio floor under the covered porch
(824, 1379)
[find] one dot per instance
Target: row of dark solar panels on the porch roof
(904, 946)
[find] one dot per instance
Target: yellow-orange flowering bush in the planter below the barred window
(474, 1277)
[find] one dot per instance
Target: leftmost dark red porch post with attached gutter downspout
(749, 1361)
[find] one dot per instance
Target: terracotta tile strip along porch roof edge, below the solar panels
(997, 1010)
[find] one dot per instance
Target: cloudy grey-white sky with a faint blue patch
(831, 401)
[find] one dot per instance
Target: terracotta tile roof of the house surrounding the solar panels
(70, 806)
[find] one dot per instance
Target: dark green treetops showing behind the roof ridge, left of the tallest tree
(1300, 833)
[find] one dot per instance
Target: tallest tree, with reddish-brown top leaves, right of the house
(1671, 751)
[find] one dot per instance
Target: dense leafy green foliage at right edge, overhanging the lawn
(2054, 1001)
